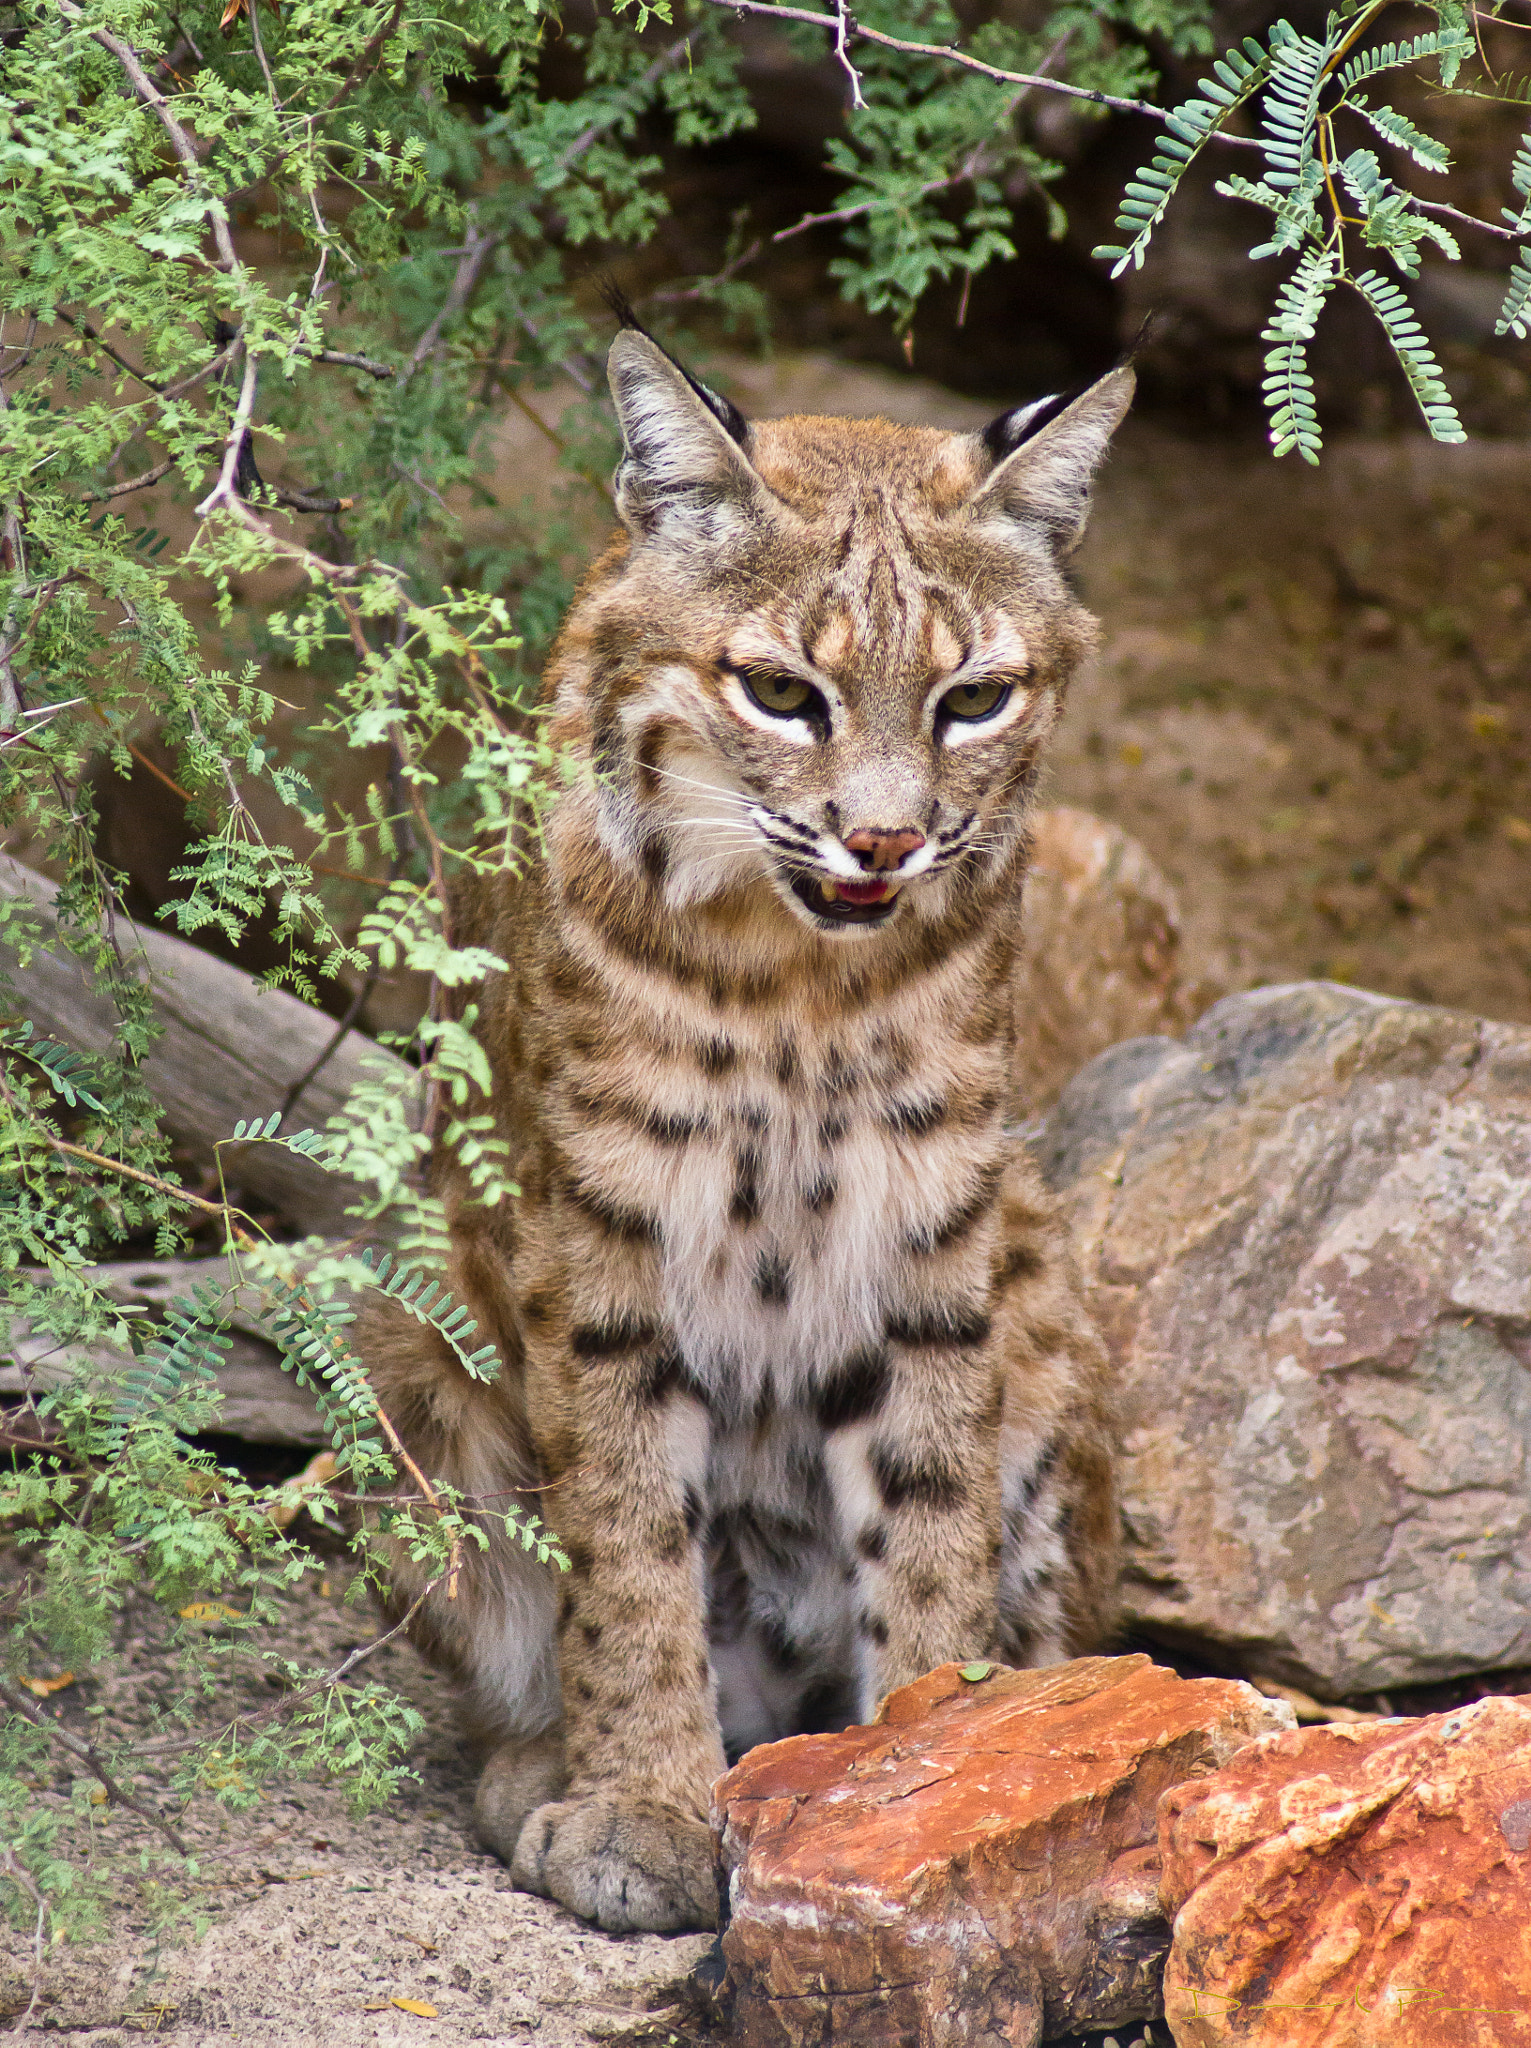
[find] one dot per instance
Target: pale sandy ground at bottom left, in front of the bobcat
(316, 1922)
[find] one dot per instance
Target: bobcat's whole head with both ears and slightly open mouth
(832, 652)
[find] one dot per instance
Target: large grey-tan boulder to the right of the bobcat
(1309, 1236)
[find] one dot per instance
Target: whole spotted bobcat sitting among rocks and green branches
(793, 1353)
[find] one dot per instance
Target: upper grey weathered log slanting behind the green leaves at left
(230, 1050)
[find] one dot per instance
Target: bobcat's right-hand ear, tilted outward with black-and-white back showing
(1047, 456)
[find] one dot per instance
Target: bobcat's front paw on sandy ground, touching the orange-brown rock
(621, 1863)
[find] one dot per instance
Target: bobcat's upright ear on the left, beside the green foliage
(685, 470)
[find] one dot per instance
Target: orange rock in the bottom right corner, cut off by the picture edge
(1358, 1887)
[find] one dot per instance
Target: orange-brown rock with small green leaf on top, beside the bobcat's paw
(979, 1867)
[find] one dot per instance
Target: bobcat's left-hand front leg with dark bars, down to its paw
(627, 1846)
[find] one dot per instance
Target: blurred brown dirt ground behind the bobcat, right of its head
(1315, 708)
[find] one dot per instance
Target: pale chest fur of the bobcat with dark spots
(797, 1191)
